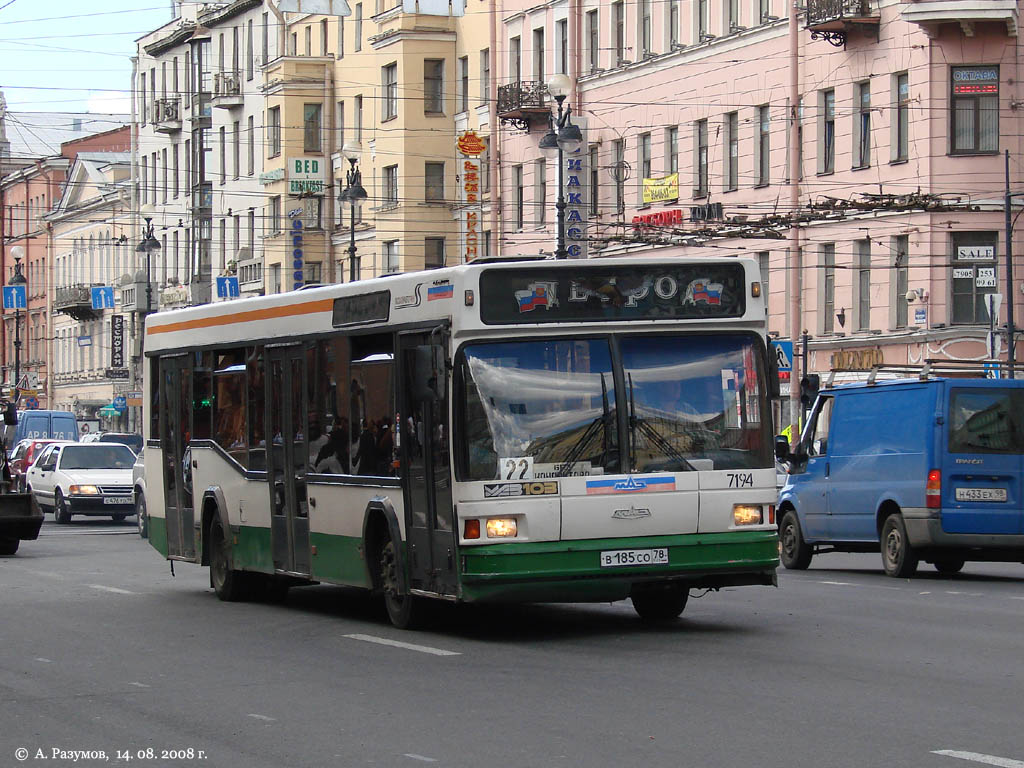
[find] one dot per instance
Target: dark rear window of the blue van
(986, 421)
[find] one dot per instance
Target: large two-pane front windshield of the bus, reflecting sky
(549, 408)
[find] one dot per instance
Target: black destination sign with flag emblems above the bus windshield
(569, 294)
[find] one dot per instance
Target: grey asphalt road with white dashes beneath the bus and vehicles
(104, 651)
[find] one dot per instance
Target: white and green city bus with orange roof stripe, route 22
(530, 431)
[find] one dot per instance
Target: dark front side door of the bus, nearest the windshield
(428, 467)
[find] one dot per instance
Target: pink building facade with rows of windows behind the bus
(898, 116)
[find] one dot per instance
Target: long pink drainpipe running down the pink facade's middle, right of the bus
(796, 262)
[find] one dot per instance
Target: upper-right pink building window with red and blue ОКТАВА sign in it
(975, 102)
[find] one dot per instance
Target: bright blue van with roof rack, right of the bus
(922, 470)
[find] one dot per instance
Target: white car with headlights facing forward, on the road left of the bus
(93, 479)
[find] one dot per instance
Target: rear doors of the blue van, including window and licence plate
(983, 465)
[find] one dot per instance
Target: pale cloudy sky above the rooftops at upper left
(72, 56)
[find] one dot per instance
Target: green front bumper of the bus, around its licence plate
(571, 572)
